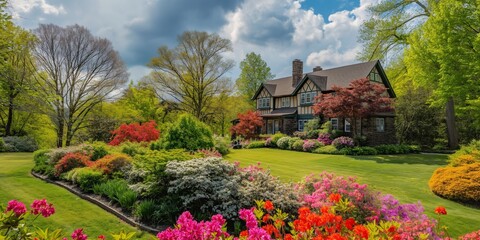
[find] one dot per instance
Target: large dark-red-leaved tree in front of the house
(360, 99)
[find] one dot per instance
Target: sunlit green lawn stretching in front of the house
(404, 176)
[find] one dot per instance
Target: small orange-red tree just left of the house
(247, 125)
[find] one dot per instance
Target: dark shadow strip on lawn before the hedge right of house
(407, 159)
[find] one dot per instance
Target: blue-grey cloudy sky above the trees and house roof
(319, 32)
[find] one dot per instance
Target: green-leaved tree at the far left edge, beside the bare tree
(16, 74)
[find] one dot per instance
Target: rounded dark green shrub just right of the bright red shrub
(188, 133)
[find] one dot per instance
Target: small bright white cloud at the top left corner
(26, 6)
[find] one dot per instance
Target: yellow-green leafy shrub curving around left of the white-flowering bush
(147, 176)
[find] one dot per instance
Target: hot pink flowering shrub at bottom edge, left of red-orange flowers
(189, 229)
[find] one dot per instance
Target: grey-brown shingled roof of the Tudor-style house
(324, 79)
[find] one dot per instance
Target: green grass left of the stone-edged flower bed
(71, 211)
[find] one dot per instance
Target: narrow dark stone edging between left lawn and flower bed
(100, 203)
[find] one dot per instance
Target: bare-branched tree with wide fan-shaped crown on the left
(79, 71)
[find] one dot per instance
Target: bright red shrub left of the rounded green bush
(135, 133)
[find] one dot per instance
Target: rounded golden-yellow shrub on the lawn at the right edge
(460, 183)
